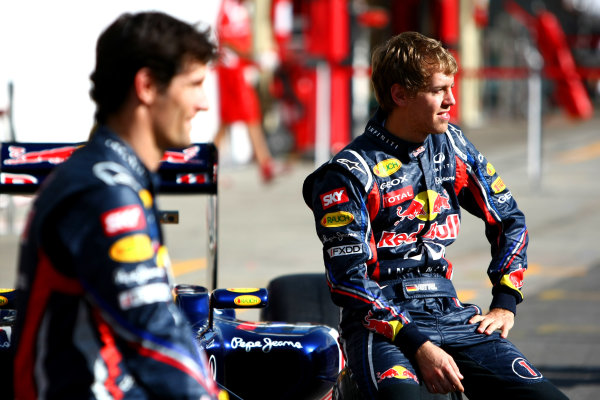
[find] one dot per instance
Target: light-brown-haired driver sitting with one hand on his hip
(385, 209)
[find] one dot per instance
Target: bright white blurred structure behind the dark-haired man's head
(48, 53)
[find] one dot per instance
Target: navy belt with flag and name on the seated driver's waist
(419, 288)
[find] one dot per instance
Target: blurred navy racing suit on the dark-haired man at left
(95, 316)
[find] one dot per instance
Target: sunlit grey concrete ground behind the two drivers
(267, 231)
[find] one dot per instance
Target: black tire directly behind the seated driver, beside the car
(300, 298)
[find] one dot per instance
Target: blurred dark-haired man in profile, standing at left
(95, 314)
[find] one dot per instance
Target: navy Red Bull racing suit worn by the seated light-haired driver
(385, 210)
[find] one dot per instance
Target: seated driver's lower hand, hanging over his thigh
(440, 372)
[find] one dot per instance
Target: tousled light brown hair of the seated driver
(408, 59)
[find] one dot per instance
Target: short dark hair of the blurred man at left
(134, 41)
